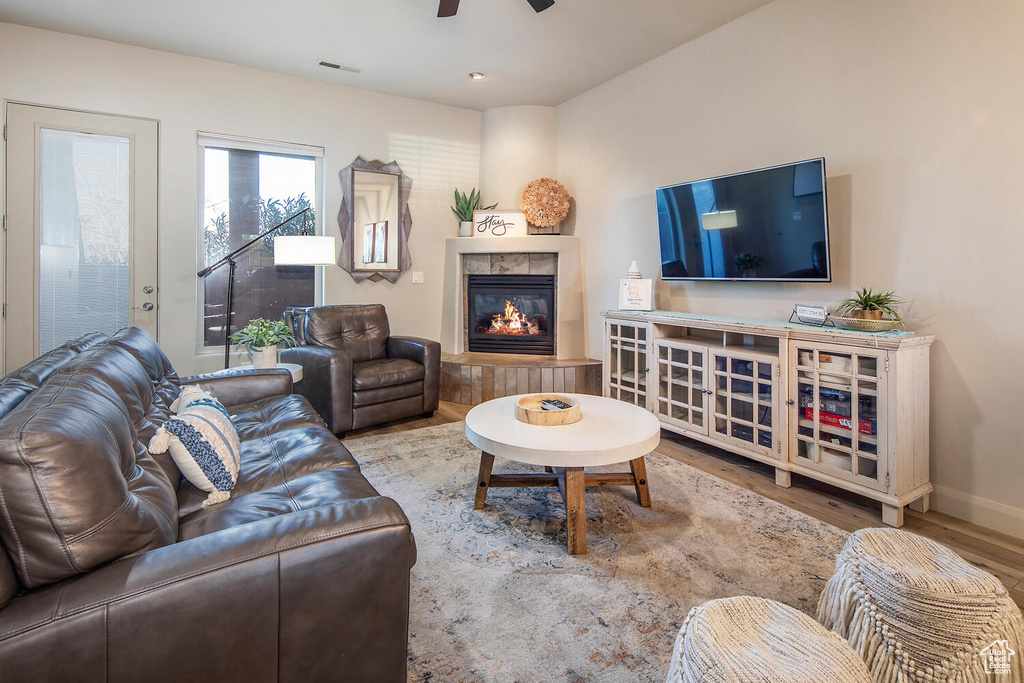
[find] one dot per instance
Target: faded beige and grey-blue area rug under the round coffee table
(496, 597)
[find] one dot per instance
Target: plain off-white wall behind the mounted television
(917, 108)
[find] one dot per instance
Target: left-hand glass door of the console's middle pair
(681, 394)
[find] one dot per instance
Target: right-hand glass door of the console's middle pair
(744, 401)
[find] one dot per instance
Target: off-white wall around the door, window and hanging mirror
(437, 146)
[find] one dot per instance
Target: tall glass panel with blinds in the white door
(84, 235)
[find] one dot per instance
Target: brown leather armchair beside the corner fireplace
(356, 374)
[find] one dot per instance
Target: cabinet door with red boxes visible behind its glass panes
(838, 399)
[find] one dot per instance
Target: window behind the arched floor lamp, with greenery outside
(247, 188)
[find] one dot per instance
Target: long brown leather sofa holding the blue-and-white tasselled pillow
(112, 571)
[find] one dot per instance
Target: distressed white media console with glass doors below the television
(847, 408)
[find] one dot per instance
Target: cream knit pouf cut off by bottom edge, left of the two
(746, 639)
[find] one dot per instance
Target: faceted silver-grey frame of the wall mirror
(347, 217)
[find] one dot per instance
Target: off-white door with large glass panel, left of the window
(81, 228)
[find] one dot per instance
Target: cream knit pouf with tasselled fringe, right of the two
(917, 612)
